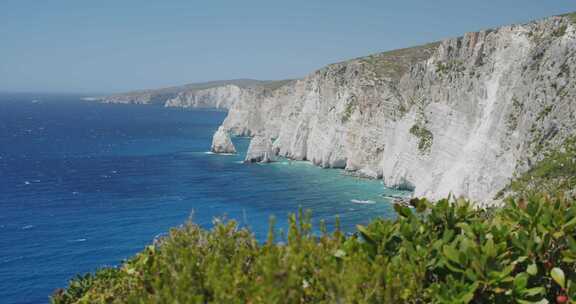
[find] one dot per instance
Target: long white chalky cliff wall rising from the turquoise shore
(462, 116)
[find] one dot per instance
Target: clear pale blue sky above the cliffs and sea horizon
(116, 45)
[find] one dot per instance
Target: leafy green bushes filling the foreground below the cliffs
(524, 252)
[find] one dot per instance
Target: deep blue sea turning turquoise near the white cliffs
(85, 185)
